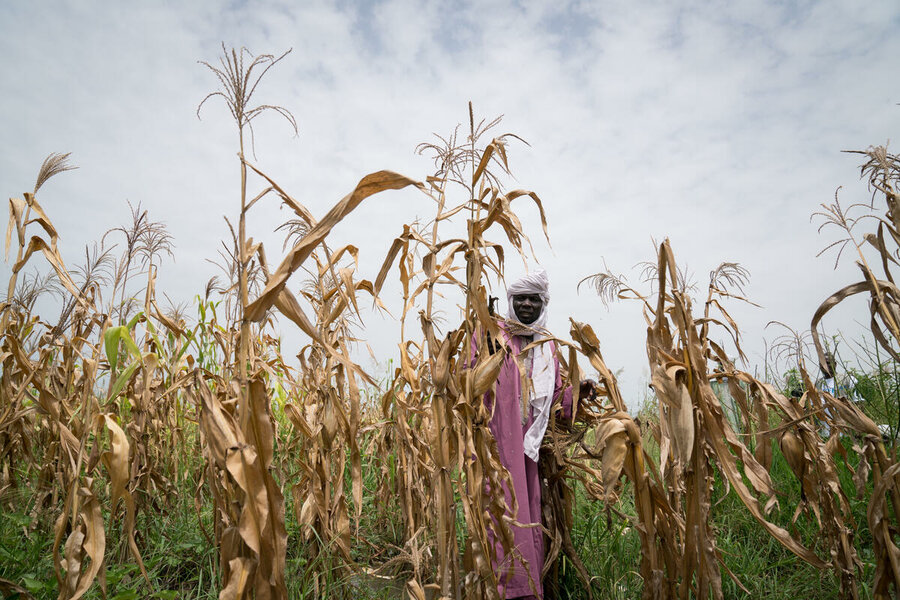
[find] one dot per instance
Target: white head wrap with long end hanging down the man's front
(543, 375)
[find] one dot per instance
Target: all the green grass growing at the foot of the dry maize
(182, 564)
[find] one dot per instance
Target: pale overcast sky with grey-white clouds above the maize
(718, 125)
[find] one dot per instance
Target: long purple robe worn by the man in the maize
(506, 425)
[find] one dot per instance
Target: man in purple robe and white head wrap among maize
(521, 412)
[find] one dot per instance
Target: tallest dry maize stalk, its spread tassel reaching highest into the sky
(257, 552)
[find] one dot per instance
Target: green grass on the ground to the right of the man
(610, 548)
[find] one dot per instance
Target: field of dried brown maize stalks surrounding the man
(308, 477)
